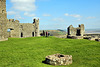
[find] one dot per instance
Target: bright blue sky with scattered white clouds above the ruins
(56, 14)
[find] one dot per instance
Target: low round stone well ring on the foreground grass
(59, 59)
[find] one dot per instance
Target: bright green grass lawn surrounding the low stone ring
(30, 52)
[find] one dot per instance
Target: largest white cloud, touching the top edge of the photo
(24, 5)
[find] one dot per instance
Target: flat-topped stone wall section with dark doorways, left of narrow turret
(27, 30)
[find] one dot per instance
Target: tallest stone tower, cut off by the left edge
(3, 20)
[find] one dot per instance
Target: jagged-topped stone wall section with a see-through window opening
(13, 25)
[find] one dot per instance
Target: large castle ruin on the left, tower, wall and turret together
(17, 30)
